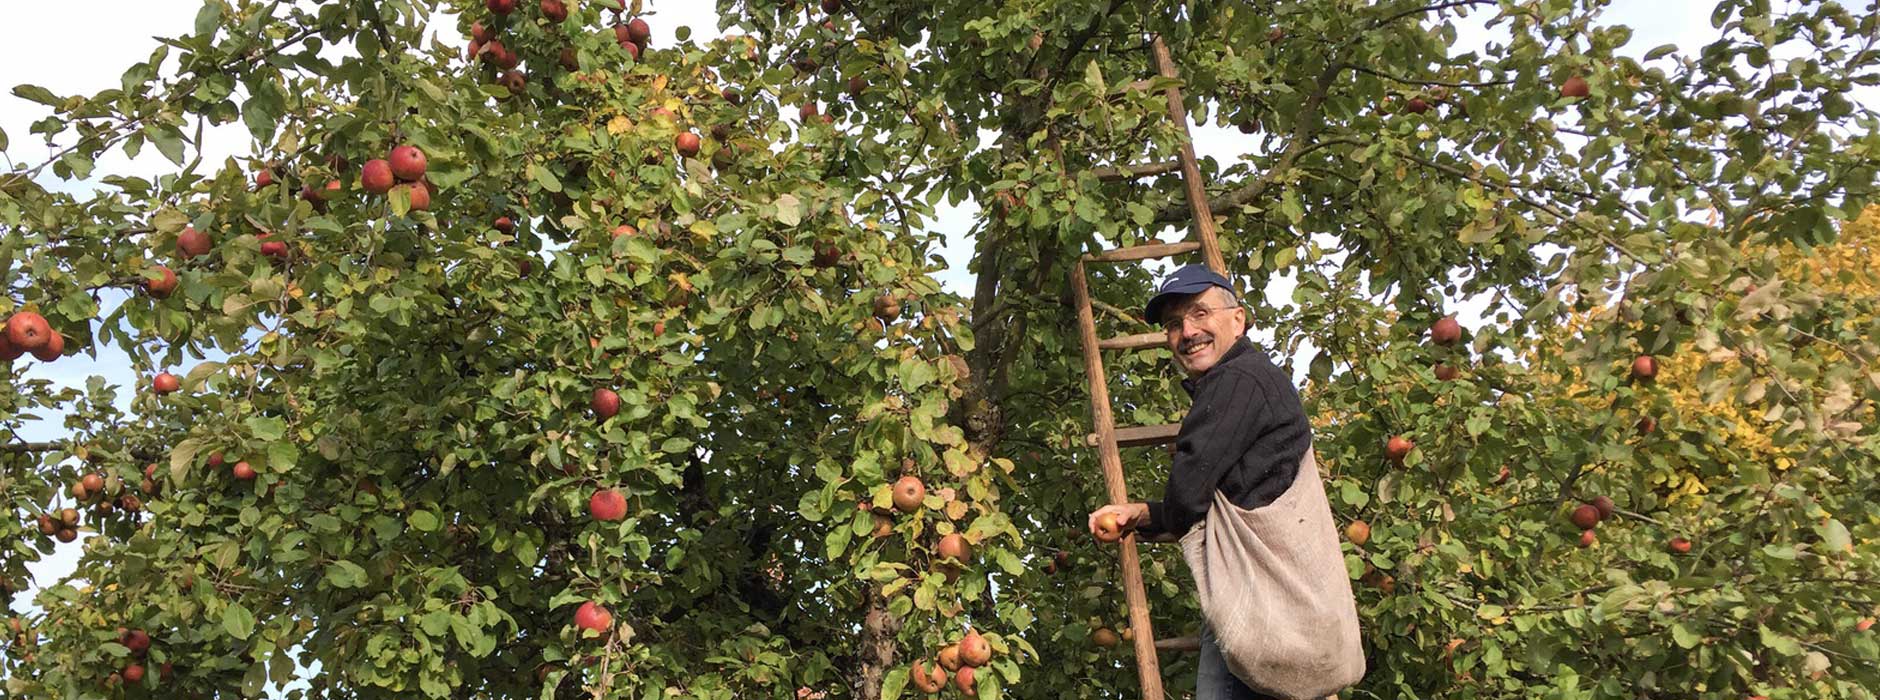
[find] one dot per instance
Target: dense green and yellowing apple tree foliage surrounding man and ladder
(745, 336)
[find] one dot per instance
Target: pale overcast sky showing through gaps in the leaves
(82, 48)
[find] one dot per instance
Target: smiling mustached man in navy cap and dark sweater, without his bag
(1244, 436)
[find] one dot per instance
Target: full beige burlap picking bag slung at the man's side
(1276, 592)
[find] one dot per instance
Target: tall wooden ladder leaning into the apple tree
(1108, 439)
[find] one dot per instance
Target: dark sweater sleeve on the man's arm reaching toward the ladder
(1217, 434)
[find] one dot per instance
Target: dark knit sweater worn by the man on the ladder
(1244, 437)
